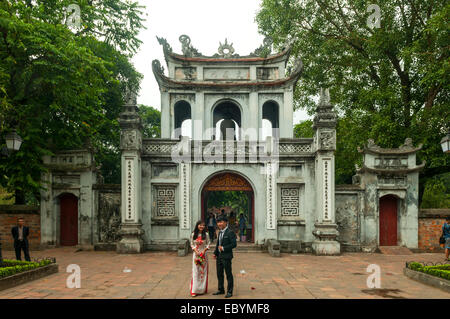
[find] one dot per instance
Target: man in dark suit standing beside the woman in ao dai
(224, 253)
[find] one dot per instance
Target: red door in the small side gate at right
(388, 221)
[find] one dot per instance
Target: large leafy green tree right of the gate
(387, 83)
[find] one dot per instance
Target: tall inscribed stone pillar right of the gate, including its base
(325, 228)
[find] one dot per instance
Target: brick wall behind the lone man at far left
(8, 219)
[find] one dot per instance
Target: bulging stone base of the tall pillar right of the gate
(326, 243)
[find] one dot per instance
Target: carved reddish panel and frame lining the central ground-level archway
(230, 181)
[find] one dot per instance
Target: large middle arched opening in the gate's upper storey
(227, 119)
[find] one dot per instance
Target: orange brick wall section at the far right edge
(430, 228)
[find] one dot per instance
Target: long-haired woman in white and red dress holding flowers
(200, 245)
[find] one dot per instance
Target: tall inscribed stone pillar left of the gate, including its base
(131, 145)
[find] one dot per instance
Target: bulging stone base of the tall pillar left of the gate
(131, 242)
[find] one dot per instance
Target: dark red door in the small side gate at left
(69, 220)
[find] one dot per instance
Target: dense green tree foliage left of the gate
(62, 88)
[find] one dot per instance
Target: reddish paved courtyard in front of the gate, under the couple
(164, 275)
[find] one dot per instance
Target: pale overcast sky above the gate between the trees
(206, 22)
